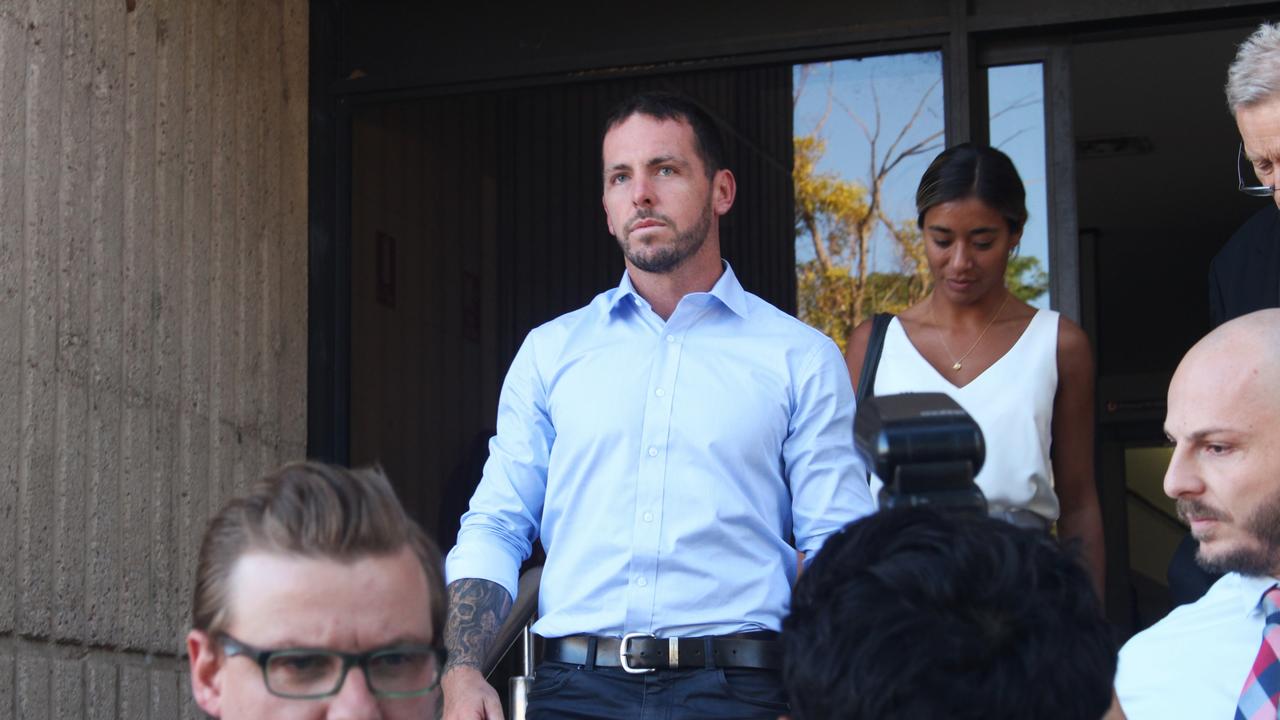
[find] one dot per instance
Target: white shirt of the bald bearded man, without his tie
(1195, 662)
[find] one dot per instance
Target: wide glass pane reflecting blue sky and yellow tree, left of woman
(865, 133)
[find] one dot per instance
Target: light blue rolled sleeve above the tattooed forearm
(499, 531)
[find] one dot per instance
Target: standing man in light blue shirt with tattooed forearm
(666, 443)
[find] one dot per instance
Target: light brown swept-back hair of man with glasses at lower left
(310, 511)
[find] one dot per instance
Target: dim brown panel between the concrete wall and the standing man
(424, 362)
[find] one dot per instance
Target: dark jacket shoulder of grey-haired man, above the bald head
(1245, 276)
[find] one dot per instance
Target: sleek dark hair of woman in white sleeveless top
(975, 171)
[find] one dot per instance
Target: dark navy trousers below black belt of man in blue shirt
(575, 692)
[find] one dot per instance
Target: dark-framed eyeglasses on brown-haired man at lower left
(405, 671)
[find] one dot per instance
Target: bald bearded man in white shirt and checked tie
(1210, 659)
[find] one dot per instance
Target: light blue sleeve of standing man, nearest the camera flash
(826, 475)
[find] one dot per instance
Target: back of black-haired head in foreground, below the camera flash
(917, 614)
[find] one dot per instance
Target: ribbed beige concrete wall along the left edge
(153, 325)
